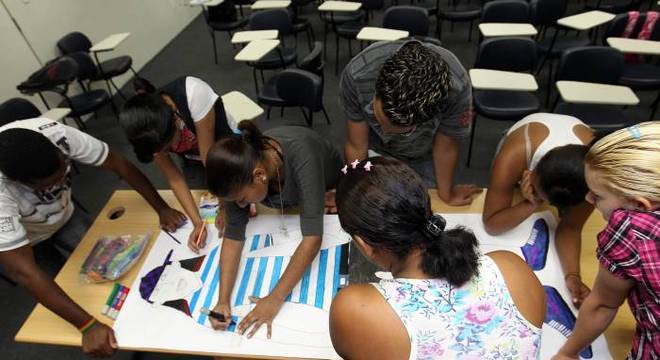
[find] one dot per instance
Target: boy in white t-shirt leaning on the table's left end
(35, 205)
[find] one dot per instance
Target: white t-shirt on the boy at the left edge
(28, 216)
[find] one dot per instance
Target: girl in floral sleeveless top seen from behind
(441, 289)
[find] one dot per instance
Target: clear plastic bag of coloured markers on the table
(112, 256)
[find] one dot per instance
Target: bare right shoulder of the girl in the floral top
(523, 285)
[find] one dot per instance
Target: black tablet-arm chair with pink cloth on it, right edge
(639, 73)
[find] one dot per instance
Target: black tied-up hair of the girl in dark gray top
(230, 161)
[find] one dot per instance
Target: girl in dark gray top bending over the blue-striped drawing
(282, 167)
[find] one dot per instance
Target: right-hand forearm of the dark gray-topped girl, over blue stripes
(301, 259)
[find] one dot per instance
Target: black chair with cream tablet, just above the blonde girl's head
(586, 80)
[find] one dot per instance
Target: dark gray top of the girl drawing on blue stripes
(311, 167)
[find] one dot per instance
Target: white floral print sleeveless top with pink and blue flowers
(475, 321)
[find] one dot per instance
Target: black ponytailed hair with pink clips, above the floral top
(389, 207)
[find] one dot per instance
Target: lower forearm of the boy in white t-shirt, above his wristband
(50, 295)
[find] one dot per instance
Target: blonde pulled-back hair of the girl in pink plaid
(628, 160)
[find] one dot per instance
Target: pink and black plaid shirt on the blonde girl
(630, 248)
